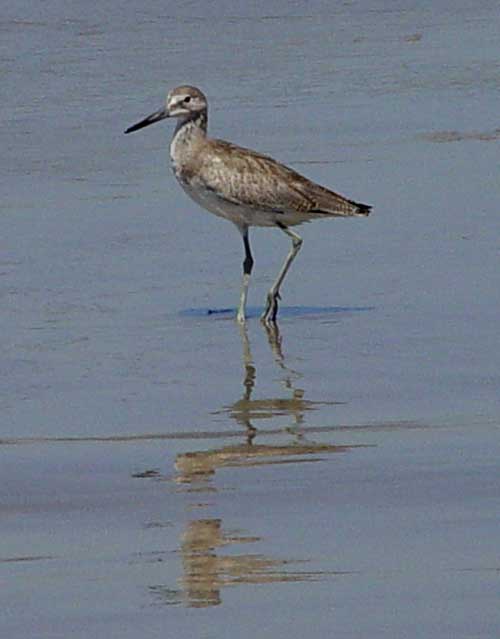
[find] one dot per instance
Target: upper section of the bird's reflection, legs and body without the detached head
(195, 468)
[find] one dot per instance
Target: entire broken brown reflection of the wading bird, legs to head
(206, 568)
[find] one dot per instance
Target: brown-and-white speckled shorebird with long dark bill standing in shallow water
(243, 186)
